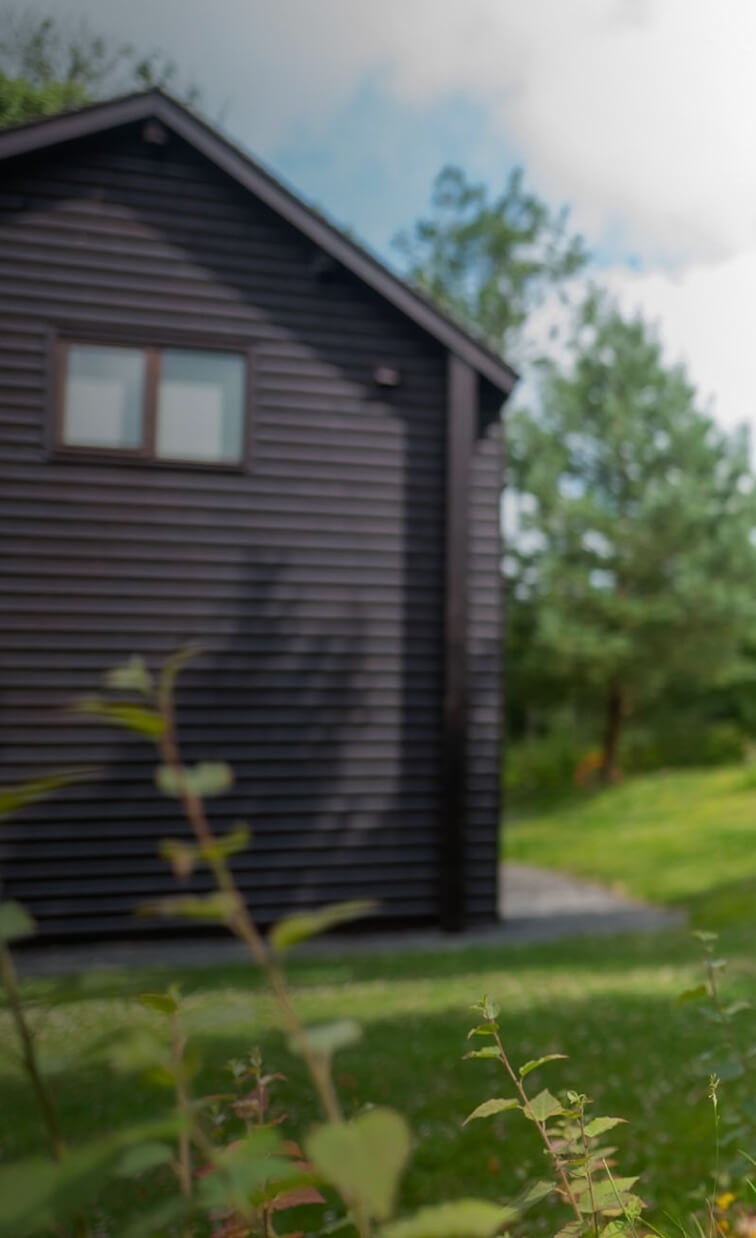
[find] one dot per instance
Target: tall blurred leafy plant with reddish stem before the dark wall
(362, 1159)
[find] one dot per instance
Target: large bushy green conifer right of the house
(634, 558)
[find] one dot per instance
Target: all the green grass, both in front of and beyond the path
(684, 839)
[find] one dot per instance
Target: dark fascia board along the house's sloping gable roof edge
(157, 105)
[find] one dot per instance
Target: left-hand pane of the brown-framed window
(105, 397)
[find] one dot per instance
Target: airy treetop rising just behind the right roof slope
(491, 262)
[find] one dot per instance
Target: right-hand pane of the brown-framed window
(201, 407)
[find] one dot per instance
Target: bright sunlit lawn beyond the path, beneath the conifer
(680, 838)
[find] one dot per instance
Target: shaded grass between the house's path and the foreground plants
(609, 1005)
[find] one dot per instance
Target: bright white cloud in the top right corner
(639, 113)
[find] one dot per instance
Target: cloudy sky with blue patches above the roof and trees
(640, 116)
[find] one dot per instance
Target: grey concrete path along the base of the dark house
(536, 904)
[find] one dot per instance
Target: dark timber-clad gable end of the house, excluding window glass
(342, 581)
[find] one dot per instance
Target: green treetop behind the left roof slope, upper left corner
(46, 67)
